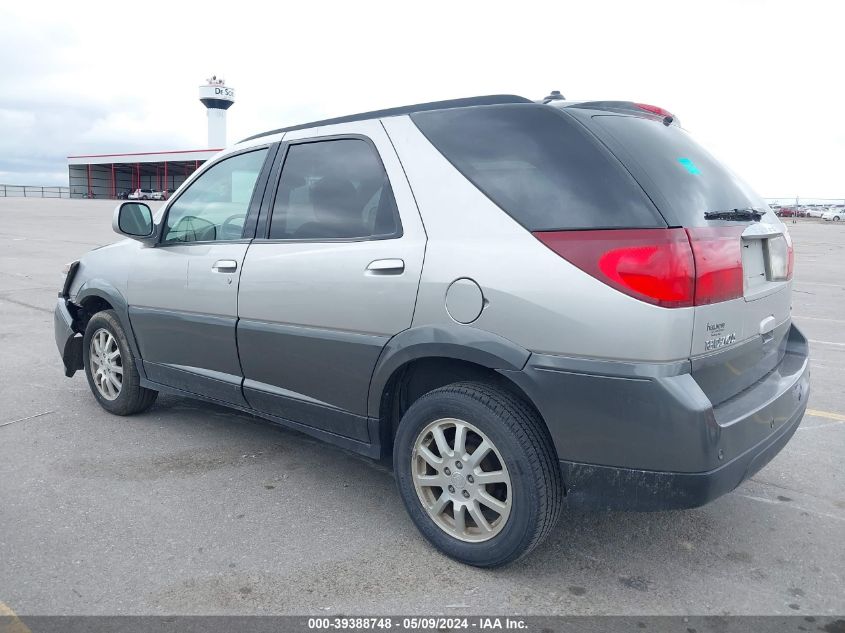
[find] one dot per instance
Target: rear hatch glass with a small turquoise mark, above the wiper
(688, 180)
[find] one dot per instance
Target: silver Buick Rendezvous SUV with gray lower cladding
(529, 305)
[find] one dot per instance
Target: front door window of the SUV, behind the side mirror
(214, 207)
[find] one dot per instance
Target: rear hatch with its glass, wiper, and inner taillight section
(741, 324)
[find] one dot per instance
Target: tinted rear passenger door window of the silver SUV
(333, 190)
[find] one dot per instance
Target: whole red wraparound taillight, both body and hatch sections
(672, 268)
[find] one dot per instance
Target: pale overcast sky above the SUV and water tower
(758, 83)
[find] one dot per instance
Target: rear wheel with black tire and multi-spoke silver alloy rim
(522, 461)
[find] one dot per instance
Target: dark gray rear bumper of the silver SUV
(624, 431)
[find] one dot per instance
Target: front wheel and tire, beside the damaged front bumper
(110, 355)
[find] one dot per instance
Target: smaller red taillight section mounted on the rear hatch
(718, 263)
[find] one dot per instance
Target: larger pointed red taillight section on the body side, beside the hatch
(654, 265)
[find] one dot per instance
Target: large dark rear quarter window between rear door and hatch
(539, 166)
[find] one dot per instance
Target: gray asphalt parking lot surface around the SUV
(194, 509)
